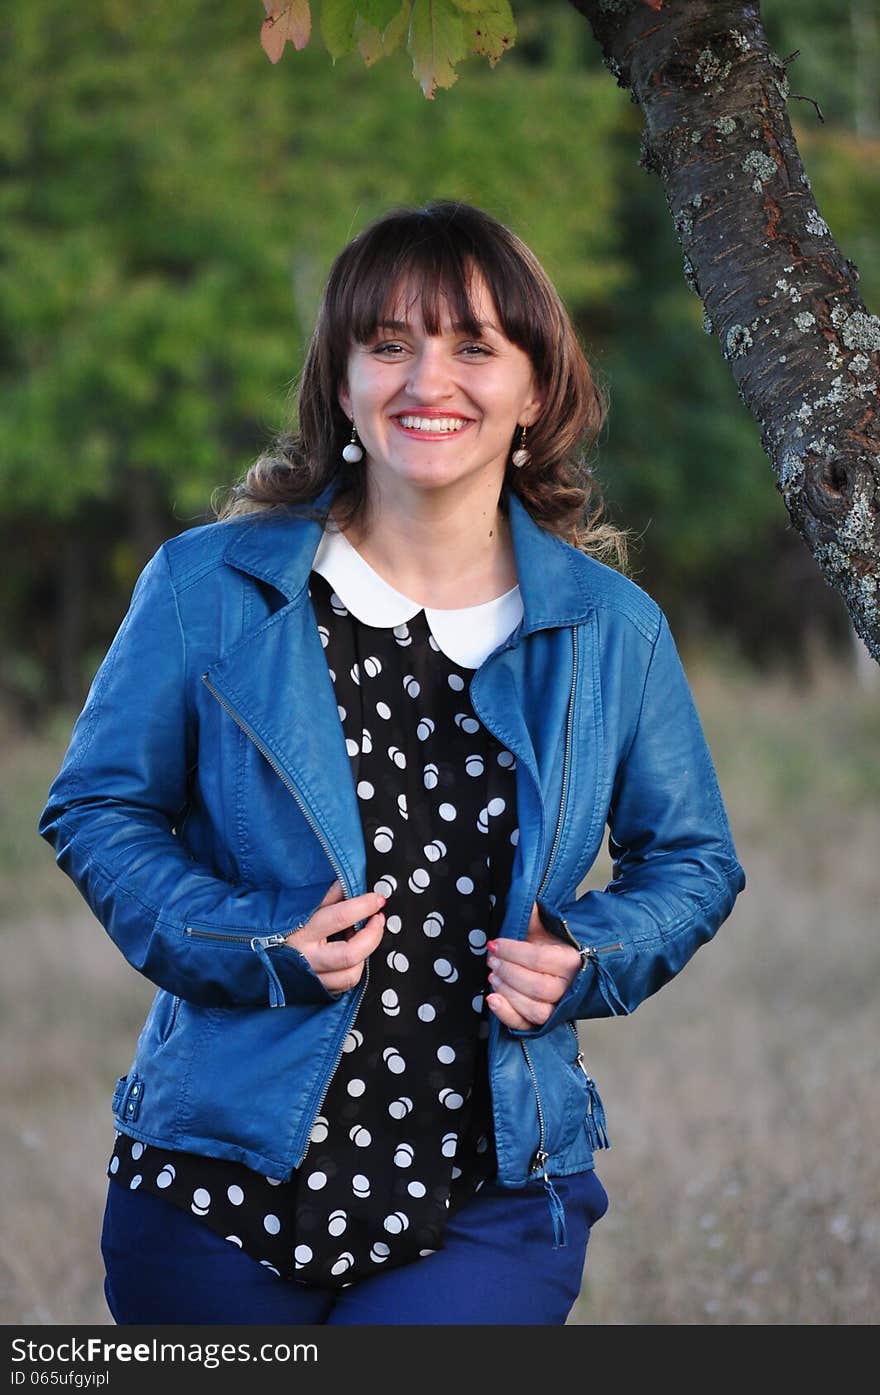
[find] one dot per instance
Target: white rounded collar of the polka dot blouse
(466, 635)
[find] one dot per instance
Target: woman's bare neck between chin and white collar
(439, 550)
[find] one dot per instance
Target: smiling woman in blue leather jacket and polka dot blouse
(334, 792)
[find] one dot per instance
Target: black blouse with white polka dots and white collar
(404, 1135)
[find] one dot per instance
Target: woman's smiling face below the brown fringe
(433, 411)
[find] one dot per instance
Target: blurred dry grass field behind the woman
(744, 1100)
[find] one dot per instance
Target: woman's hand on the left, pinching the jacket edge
(340, 963)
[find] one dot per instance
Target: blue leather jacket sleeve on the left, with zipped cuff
(112, 817)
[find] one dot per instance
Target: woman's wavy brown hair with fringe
(437, 249)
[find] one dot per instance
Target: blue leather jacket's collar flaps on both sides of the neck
(280, 548)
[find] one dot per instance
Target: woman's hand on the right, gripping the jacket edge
(529, 977)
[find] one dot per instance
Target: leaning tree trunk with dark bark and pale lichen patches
(777, 292)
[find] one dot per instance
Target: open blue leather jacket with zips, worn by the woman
(207, 804)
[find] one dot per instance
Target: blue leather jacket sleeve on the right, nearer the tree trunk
(676, 870)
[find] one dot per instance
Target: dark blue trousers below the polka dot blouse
(499, 1267)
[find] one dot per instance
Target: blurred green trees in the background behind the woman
(171, 204)
